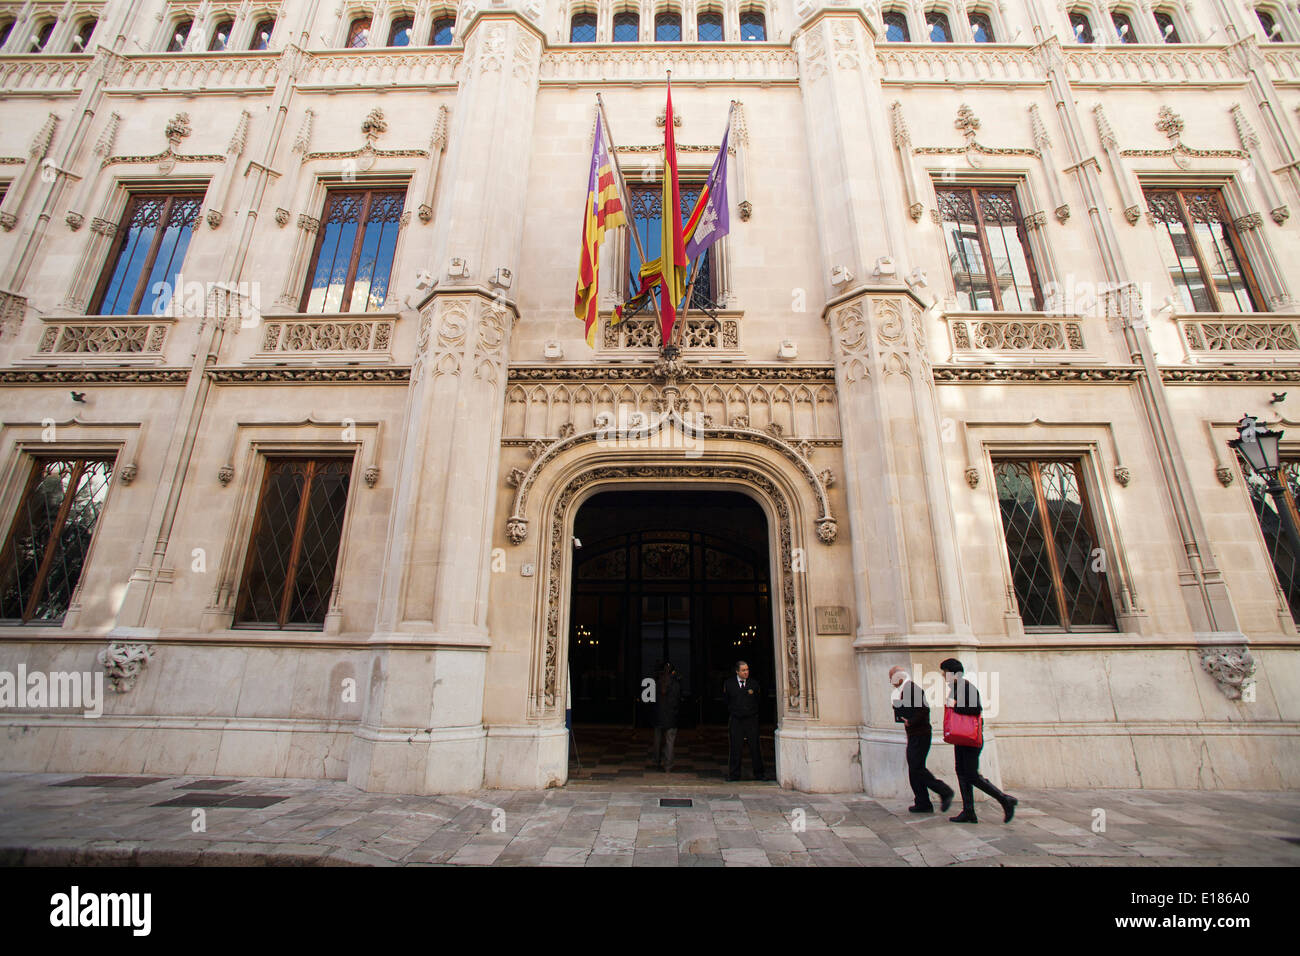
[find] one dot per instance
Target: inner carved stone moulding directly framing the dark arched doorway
(792, 634)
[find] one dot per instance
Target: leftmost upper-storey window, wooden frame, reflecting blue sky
(149, 250)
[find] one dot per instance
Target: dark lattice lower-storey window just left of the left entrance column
(293, 553)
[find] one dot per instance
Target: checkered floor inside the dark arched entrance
(605, 752)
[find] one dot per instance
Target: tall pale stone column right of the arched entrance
(909, 592)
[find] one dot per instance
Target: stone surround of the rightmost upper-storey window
(1255, 245)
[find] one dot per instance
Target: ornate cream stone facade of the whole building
(846, 390)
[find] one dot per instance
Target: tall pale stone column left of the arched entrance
(423, 725)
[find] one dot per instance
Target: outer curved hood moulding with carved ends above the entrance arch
(635, 430)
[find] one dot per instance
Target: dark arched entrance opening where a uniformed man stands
(683, 577)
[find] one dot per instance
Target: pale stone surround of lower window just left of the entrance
(254, 444)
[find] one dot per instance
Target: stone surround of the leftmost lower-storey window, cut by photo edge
(116, 440)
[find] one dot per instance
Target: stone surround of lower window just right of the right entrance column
(1011, 440)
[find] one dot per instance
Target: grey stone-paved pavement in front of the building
(64, 819)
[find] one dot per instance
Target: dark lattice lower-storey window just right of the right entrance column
(1058, 568)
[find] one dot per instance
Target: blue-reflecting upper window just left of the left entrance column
(353, 261)
